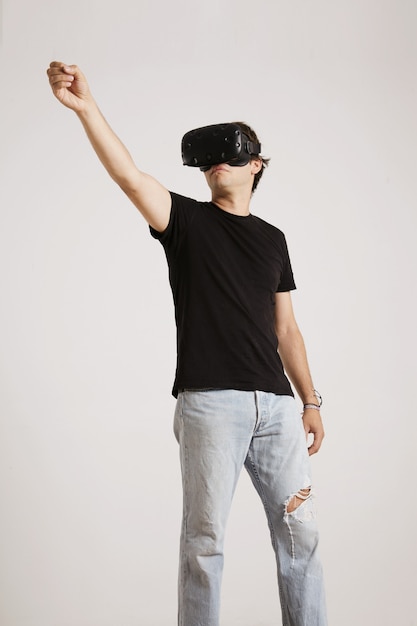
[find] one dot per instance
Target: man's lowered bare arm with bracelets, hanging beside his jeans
(293, 354)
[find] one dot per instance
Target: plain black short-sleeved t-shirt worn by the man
(224, 271)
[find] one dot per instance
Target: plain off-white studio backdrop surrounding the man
(90, 483)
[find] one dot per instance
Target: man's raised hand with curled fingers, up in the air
(69, 85)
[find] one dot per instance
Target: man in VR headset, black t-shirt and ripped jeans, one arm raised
(231, 279)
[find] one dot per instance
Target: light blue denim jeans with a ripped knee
(219, 432)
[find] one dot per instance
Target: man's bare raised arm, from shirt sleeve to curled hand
(153, 200)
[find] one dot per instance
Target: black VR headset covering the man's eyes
(218, 143)
